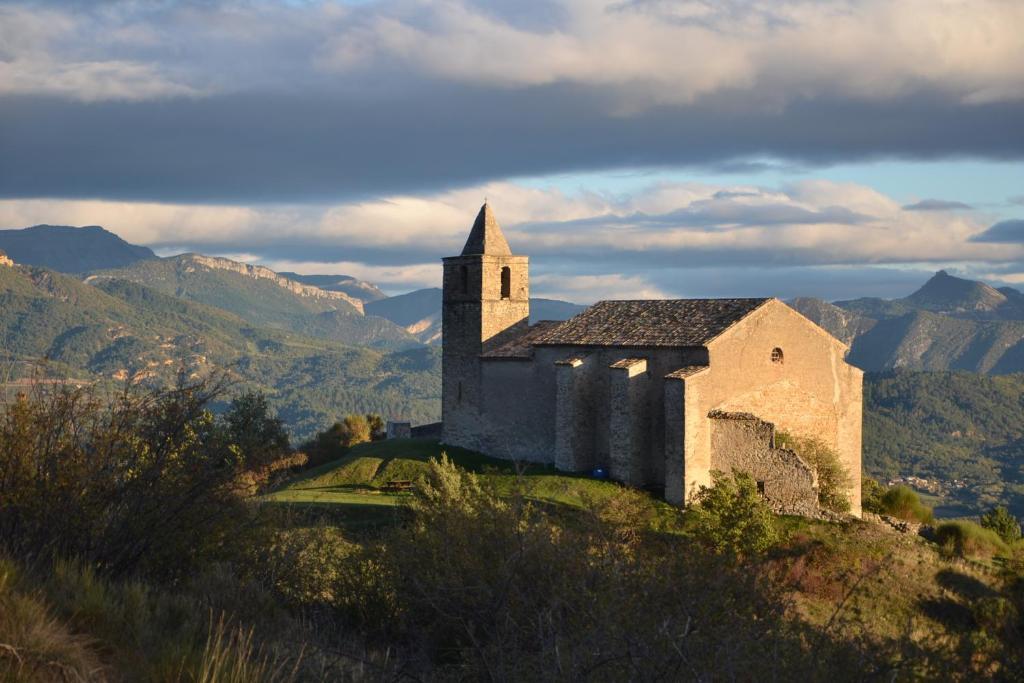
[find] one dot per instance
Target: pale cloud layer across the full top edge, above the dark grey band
(642, 53)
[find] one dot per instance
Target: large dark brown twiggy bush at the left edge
(150, 484)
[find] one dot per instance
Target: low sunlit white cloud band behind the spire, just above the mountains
(398, 241)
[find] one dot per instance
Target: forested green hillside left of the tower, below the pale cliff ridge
(114, 331)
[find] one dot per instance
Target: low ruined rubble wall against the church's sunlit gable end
(742, 443)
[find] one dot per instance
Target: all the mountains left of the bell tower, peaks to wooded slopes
(86, 305)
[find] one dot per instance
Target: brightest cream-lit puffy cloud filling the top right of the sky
(677, 52)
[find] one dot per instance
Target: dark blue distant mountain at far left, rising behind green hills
(72, 250)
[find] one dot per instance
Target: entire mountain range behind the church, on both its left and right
(323, 347)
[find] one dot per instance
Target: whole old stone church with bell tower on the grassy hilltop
(659, 394)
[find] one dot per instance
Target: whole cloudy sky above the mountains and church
(631, 148)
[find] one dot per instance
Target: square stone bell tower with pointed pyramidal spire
(486, 303)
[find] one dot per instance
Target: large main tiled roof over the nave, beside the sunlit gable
(665, 323)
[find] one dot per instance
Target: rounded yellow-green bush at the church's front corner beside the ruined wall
(731, 518)
